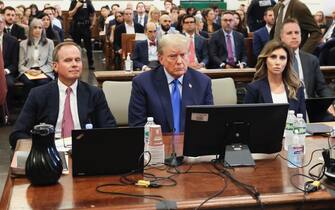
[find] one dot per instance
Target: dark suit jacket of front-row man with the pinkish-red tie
(42, 106)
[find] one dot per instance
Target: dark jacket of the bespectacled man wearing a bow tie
(140, 55)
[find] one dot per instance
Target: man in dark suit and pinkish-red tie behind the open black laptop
(66, 103)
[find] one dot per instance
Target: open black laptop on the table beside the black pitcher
(106, 151)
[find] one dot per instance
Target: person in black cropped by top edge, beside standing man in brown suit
(255, 13)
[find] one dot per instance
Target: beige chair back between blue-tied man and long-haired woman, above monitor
(224, 91)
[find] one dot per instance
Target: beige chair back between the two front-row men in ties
(118, 96)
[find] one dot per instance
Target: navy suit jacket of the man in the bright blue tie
(150, 97)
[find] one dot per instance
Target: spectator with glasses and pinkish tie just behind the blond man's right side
(198, 50)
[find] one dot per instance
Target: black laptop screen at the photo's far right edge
(317, 109)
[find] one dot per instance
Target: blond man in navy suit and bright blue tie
(163, 93)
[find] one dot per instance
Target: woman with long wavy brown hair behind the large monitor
(275, 81)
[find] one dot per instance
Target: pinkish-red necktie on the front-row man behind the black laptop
(67, 123)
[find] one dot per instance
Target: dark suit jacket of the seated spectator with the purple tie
(218, 50)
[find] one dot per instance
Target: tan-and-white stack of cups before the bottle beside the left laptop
(156, 145)
